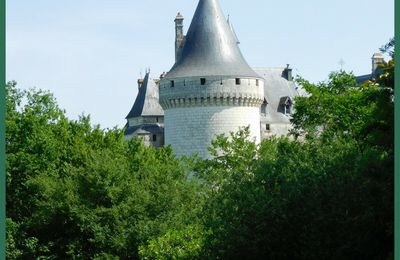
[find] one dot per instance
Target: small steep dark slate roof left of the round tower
(146, 103)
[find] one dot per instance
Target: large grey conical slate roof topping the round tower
(210, 47)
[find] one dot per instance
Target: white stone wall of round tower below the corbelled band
(191, 130)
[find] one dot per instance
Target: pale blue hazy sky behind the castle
(90, 53)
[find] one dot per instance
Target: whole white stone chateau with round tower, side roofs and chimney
(210, 90)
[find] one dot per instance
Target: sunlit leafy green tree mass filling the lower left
(77, 191)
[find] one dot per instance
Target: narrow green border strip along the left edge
(2, 129)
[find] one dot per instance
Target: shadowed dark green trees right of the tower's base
(326, 195)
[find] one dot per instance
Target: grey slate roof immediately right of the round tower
(277, 89)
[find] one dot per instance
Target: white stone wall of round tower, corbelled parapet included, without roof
(196, 113)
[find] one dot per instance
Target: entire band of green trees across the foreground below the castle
(78, 191)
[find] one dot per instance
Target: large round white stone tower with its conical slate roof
(211, 89)
